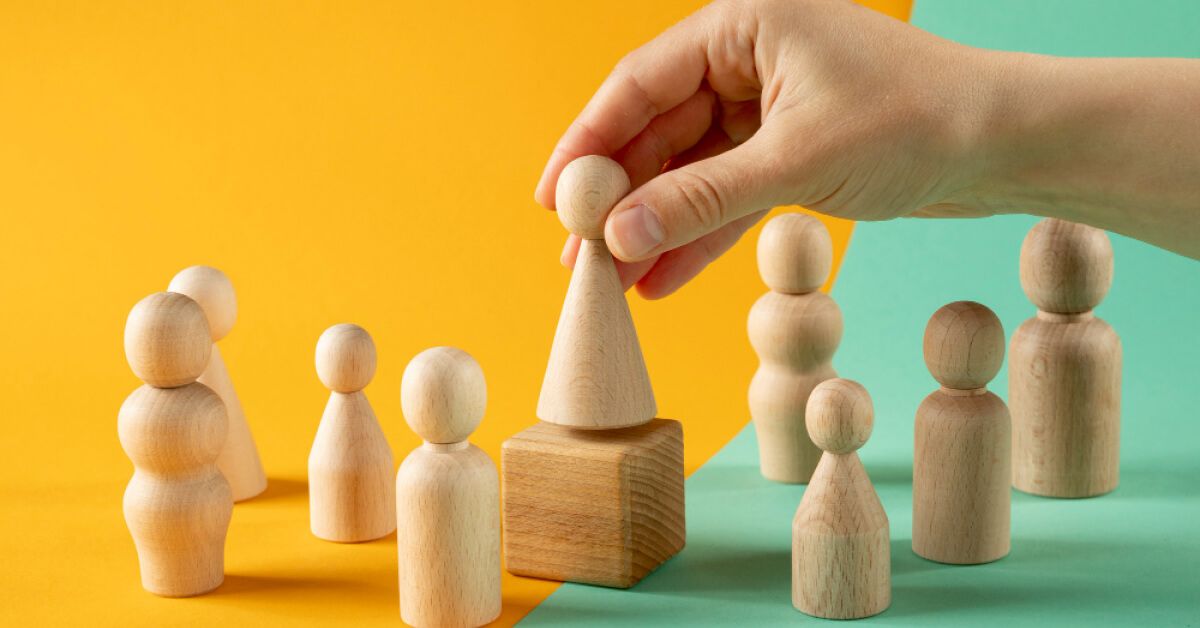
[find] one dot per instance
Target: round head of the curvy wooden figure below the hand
(795, 254)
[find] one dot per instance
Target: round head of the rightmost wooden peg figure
(1066, 267)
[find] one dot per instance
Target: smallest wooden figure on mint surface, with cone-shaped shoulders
(842, 559)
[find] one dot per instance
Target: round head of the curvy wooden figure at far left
(167, 340)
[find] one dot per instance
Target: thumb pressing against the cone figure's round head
(681, 206)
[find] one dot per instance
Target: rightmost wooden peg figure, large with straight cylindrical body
(1065, 367)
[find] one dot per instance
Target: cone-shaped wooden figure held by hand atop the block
(597, 376)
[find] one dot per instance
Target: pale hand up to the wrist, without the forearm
(749, 105)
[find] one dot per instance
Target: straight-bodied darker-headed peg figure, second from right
(963, 457)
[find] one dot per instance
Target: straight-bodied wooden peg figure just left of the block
(448, 498)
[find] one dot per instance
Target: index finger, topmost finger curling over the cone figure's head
(646, 83)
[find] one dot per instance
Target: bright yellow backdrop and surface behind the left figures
(370, 163)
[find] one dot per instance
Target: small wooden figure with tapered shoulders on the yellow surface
(351, 493)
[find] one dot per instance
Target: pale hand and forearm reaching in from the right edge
(749, 105)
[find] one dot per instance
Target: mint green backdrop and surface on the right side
(1131, 558)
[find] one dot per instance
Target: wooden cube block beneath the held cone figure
(599, 507)
